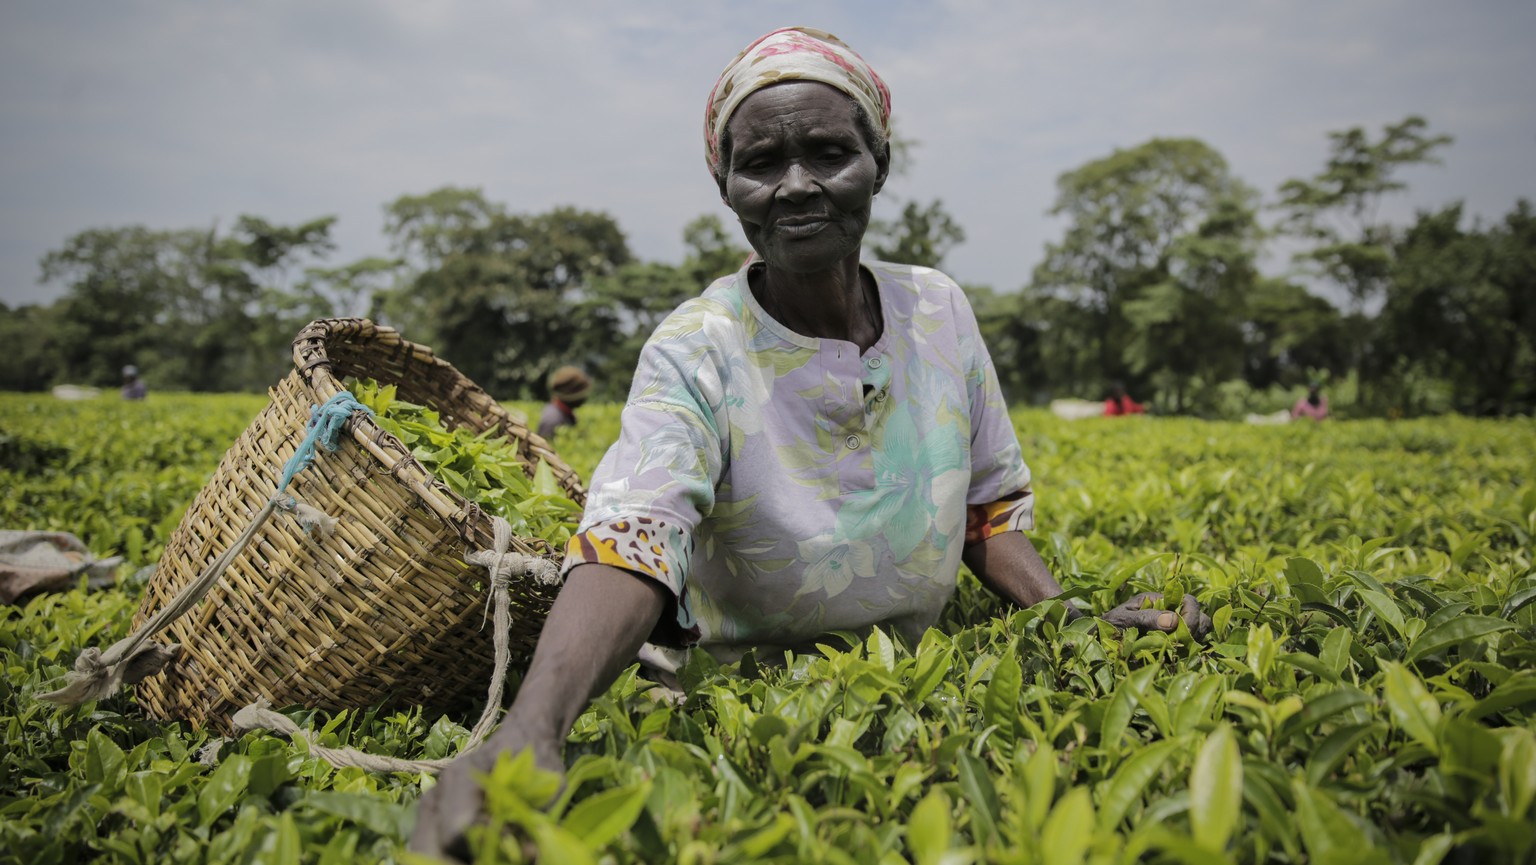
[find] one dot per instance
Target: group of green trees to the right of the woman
(1154, 283)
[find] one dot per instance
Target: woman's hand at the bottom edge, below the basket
(458, 801)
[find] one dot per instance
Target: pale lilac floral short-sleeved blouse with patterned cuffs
(784, 486)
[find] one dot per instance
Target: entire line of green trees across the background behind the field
(1154, 283)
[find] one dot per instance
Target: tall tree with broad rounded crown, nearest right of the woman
(1157, 257)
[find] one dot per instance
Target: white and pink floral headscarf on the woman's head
(792, 55)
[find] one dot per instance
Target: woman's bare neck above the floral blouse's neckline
(832, 305)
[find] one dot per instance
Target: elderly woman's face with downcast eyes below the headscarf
(801, 176)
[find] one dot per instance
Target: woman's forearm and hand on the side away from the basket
(1008, 565)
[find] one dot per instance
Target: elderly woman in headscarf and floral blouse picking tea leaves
(813, 445)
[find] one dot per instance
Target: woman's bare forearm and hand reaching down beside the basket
(595, 629)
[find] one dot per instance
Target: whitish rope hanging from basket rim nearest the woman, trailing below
(503, 566)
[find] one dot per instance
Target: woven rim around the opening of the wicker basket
(472, 523)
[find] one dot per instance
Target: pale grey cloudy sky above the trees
(182, 114)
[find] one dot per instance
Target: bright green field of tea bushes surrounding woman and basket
(1368, 695)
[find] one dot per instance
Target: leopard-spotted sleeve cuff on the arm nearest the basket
(649, 548)
